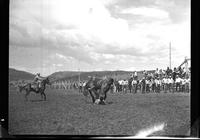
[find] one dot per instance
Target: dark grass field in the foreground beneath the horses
(68, 113)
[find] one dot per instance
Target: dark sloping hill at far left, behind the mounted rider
(15, 75)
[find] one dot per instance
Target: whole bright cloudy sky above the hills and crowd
(48, 36)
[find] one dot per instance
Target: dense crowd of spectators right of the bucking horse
(176, 80)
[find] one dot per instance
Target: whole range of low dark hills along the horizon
(15, 75)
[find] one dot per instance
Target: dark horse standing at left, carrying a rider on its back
(30, 87)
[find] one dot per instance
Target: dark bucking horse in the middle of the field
(98, 88)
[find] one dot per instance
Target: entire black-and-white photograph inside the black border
(100, 68)
